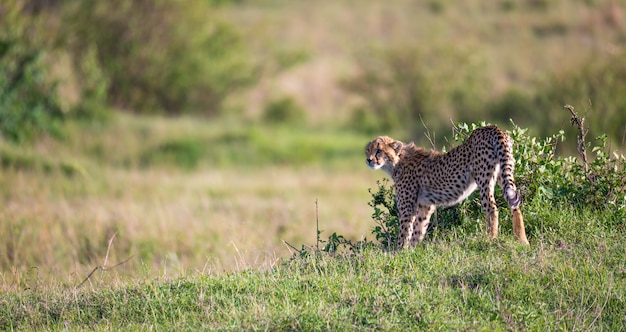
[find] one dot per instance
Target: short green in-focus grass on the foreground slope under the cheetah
(569, 279)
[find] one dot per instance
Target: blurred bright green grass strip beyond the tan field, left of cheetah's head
(131, 142)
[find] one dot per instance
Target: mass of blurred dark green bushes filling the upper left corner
(144, 56)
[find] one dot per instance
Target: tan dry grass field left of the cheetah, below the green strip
(171, 222)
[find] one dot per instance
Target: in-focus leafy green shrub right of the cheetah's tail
(542, 175)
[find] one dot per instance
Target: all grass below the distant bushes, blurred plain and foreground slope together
(204, 240)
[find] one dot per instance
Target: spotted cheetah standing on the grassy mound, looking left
(427, 179)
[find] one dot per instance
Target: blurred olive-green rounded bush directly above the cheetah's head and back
(399, 87)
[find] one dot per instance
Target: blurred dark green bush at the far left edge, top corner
(29, 104)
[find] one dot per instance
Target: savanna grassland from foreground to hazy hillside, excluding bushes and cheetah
(196, 210)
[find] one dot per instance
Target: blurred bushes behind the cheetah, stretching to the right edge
(399, 90)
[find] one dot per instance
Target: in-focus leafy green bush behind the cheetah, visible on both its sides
(543, 178)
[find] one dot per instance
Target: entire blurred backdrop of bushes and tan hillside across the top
(81, 59)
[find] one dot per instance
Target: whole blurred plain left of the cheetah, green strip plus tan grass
(228, 211)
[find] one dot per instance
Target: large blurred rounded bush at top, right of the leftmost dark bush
(172, 56)
